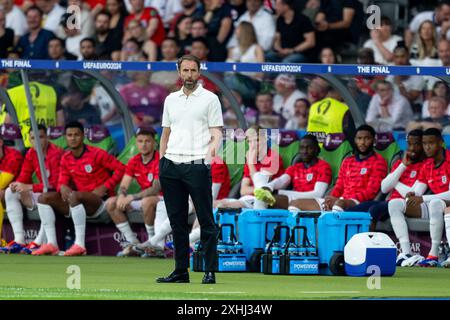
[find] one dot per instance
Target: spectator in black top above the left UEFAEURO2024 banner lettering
(107, 43)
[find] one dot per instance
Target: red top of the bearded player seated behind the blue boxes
(360, 179)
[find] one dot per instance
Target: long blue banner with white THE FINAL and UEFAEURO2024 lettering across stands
(364, 70)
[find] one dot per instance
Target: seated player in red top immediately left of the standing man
(144, 168)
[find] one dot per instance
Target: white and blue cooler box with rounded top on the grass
(370, 249)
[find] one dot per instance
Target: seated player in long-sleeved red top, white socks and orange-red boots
(88, 175)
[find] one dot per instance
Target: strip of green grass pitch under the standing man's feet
(29, 277)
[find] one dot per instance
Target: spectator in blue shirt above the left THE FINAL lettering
(34, 43)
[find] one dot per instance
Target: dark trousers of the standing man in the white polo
(178, 181)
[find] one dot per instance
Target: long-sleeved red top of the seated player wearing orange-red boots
(95, 167)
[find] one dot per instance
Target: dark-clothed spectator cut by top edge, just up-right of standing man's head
(220, 27)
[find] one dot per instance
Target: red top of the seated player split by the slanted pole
(52, 166)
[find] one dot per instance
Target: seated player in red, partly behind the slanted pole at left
(24, 193)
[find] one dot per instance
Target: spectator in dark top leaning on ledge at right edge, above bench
(437, 108)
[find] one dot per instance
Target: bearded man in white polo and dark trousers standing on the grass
(192, 132)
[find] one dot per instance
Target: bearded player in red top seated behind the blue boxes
(359, 177)
